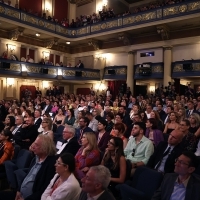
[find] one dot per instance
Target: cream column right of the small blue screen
(167, 65)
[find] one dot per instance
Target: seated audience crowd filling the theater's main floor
(122, 133)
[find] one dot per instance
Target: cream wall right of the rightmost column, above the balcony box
(186, 52)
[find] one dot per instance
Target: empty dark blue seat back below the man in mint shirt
(141, 179)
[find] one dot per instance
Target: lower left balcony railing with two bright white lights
(24, 69)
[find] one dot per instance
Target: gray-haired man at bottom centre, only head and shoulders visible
(95, 183)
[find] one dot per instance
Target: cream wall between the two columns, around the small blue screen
(158, 56)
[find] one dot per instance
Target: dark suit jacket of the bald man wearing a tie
(157, 155)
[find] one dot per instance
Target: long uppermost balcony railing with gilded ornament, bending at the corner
(170, 11)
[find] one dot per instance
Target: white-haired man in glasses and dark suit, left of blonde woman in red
(70, 144)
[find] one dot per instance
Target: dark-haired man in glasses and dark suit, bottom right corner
(182, 184)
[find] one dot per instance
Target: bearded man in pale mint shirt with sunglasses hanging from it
(139, 148)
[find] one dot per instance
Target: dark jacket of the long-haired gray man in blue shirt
(43, 178)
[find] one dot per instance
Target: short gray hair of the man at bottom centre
(102, 175)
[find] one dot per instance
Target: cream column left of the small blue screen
(130, 68)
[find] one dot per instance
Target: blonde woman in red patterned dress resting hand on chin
(88, 155)
